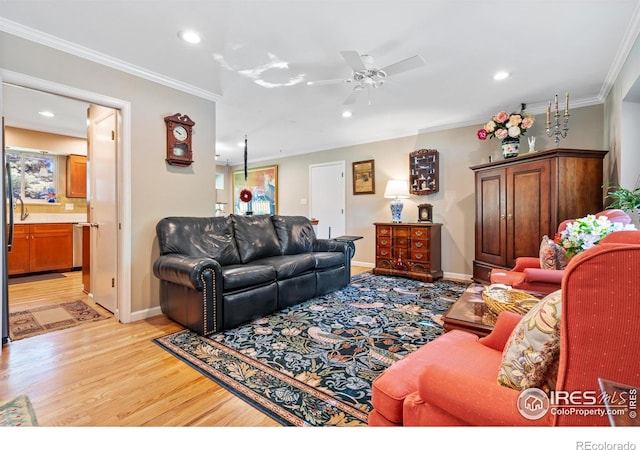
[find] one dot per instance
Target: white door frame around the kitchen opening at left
(123, 171)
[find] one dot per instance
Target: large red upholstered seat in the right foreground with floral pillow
(453, 379)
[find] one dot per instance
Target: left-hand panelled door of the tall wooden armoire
(490, 216)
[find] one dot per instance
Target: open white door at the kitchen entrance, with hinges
(102, 202)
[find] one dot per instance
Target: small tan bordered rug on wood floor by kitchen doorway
(32, 322)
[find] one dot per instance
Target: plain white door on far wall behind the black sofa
(327, 198)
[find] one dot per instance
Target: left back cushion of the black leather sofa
(210, 237)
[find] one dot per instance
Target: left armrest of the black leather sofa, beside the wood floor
(185, 270)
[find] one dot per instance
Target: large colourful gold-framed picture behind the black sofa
(262, 184)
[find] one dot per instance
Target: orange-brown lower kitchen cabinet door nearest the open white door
(51, 247)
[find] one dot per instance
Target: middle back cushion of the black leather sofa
(256, 237)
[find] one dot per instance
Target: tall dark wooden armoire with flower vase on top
(521, 199)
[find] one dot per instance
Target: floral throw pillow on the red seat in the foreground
(531, 354)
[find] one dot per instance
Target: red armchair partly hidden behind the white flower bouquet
(527, 274)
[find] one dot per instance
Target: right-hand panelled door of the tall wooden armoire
(528, 209)
